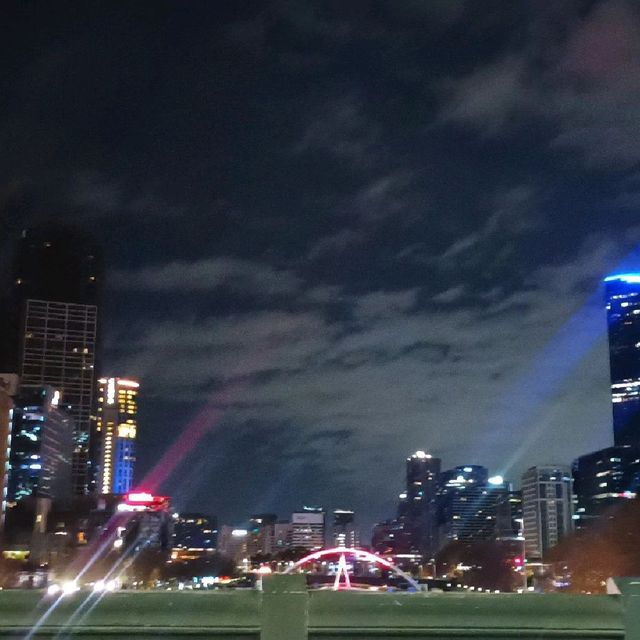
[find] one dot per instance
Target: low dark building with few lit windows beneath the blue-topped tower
(603, 479)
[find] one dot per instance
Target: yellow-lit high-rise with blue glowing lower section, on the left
(116, 426)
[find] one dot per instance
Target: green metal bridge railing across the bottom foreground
(286, 610)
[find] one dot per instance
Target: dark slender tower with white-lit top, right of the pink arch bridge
(421, 517)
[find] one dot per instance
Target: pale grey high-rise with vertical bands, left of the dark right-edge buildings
(547, 507)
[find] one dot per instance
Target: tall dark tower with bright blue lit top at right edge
(623, 316)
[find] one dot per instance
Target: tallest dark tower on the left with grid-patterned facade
(58, 272)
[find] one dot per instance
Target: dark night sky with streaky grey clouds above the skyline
(337, 232)
